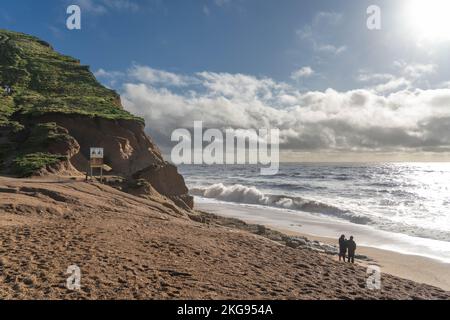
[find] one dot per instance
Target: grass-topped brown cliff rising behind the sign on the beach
(56, 111)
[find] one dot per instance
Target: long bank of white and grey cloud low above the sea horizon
(408, 120)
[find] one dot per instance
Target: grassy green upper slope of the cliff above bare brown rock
(44, 81)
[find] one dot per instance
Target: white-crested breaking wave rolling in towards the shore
(250, 195)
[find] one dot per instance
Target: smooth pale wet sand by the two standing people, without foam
(417, 268)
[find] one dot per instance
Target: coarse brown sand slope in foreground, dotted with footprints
(133, 248)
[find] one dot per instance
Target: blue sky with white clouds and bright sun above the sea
(336, 90)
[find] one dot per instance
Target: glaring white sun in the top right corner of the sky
(429, 19)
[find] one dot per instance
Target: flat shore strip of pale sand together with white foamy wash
(418, 268)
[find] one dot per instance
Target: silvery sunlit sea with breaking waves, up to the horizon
(412, 199)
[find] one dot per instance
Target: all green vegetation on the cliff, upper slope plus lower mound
(44, 82)
